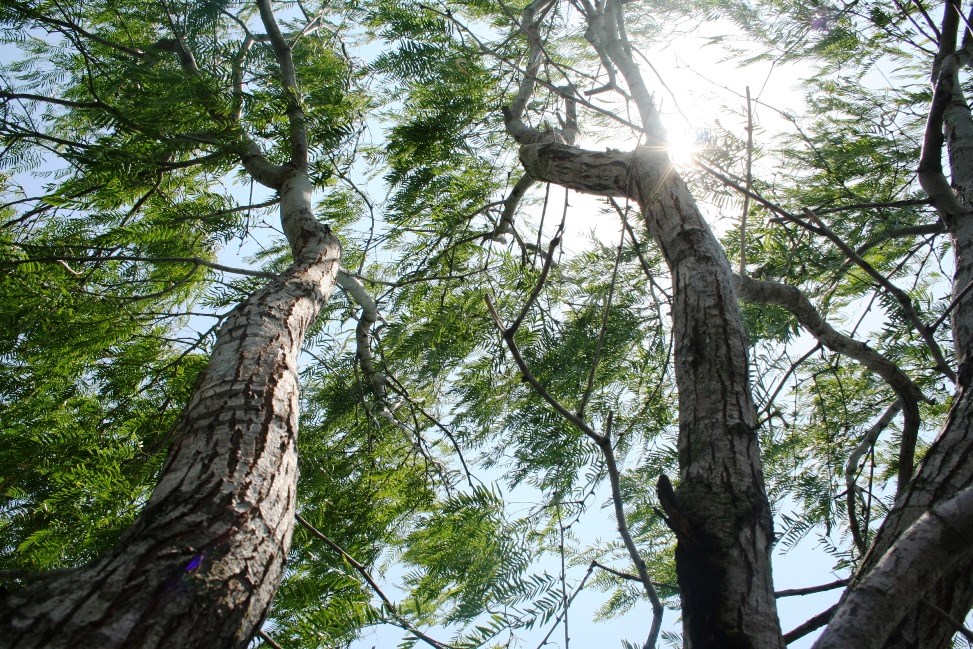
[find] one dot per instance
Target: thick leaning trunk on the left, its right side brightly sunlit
(201, 564)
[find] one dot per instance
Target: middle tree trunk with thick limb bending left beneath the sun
(724, 531)
